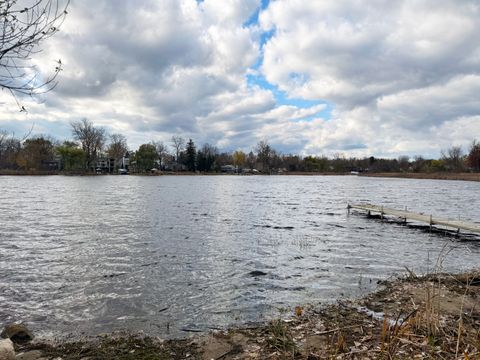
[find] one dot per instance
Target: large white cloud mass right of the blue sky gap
(396, 71)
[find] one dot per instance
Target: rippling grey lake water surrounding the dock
(173, 254)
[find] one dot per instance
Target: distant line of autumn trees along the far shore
(93, 150)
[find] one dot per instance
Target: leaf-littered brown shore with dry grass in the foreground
(436, 316)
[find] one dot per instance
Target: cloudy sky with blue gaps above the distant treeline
(319, 77)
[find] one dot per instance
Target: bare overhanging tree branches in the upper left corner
(23, 28)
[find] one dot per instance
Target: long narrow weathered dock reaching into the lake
(409, 215)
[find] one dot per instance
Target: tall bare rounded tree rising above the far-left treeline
(92, 140)
